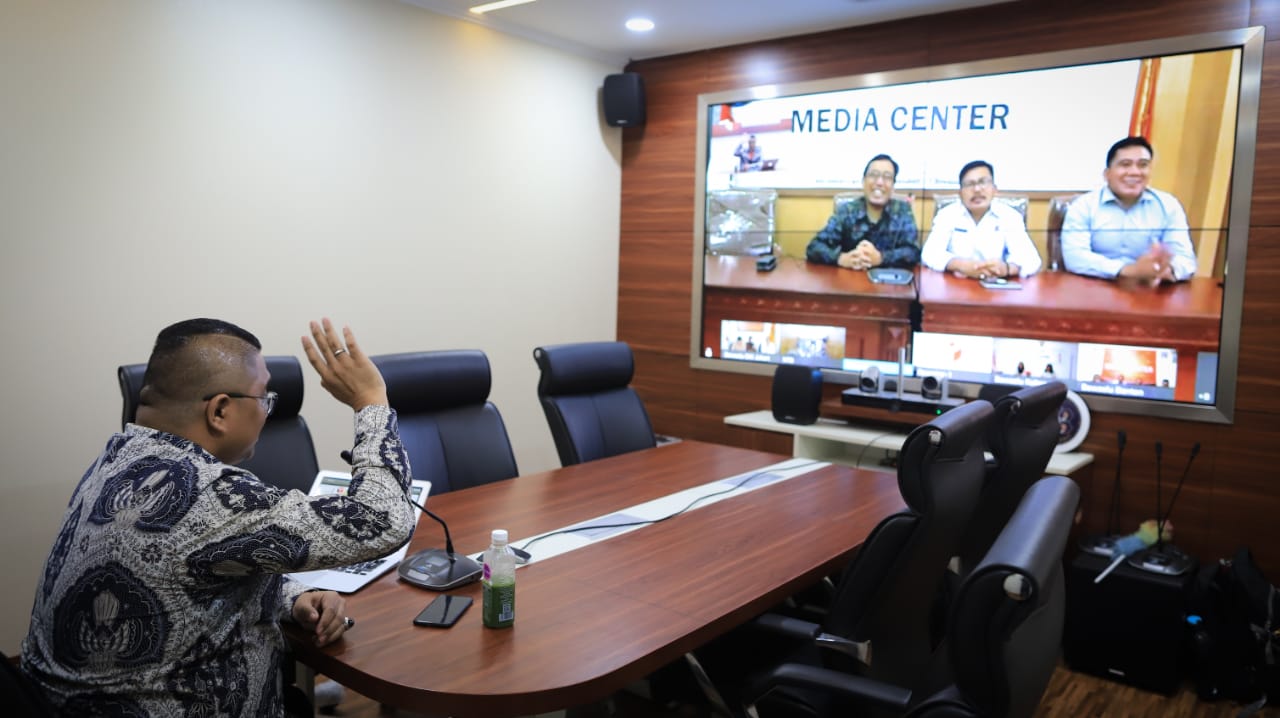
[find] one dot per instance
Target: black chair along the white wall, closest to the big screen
(591, 408)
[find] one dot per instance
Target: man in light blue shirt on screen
(1127, 228)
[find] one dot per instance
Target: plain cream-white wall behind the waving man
(428, 181)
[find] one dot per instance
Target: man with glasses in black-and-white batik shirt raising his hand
(166, 587)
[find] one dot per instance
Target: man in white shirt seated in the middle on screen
(980, 239)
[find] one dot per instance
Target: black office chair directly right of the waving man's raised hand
(452, 433)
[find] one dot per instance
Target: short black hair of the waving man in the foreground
(180, 367)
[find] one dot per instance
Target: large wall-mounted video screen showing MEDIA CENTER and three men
(783, 186)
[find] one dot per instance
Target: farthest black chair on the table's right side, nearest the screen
(1022, 438)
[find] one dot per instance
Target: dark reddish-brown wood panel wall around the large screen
(1233, 495)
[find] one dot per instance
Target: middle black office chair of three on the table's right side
(879, 625)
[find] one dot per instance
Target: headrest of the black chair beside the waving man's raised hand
(427, 382)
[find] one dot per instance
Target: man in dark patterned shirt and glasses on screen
(872, 231)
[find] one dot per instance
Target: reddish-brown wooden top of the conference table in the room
(591, 621)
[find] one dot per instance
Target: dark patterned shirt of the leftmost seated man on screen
(895, 235)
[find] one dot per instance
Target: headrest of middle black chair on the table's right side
(950, 438)
